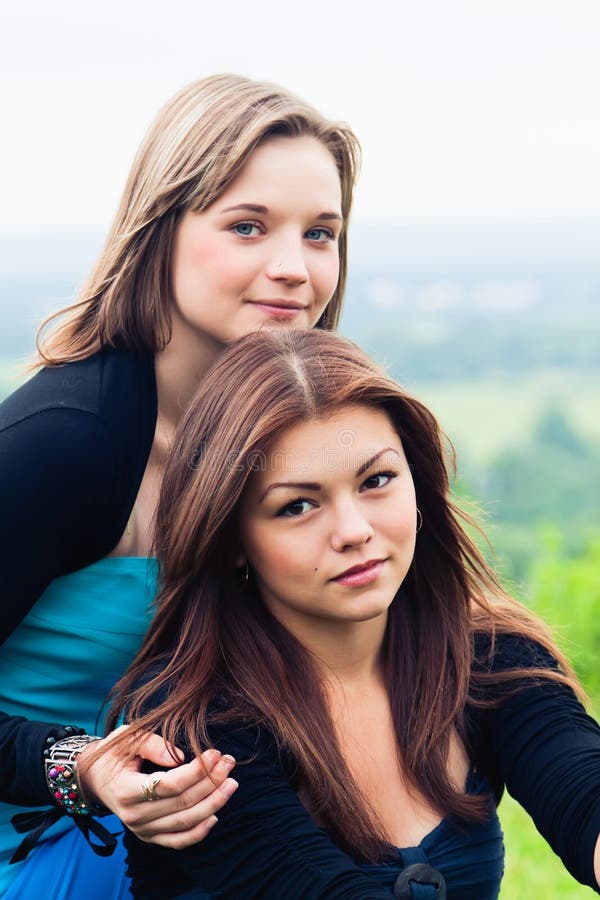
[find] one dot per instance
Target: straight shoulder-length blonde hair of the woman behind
(194, 149)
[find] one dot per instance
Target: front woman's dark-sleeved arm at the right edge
(543, 746)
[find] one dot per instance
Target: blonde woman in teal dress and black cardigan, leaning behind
(233, 219)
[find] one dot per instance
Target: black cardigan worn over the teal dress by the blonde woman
(74, 444)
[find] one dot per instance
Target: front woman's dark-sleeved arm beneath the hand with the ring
(265, 844)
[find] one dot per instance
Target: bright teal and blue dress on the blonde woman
(59, 665)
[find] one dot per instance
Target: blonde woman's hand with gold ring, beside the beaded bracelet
(187, 796)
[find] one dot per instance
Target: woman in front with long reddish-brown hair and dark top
(324, 618)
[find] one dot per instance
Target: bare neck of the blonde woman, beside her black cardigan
(179, 369)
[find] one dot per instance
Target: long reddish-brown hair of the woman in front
(214, 636)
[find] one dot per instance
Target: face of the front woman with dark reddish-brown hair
(328, 525)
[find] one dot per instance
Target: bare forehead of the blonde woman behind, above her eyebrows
(298, 168)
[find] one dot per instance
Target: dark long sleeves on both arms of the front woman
(539, 743)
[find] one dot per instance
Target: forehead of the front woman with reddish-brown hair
(338, 444)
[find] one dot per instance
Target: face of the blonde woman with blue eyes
(265, 253)
